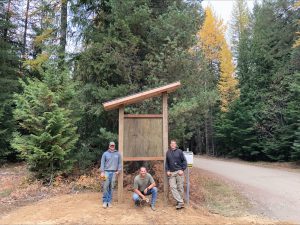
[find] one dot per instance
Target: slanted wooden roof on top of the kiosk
(131, 99)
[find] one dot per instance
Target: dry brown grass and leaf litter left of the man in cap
(19, 188)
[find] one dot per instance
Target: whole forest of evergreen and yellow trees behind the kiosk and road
(61, 59)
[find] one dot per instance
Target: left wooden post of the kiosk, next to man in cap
(121, 144)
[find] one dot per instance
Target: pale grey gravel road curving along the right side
(274, 192)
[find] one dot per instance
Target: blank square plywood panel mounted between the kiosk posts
(143, 137)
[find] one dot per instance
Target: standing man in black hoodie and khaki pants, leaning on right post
(175, 165)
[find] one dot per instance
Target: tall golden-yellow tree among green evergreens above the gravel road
(216, 50)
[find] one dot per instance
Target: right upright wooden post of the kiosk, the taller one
(165, 143)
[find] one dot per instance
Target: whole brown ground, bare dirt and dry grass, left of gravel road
(78, 201)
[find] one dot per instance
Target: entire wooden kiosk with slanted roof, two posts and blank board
(143, 137)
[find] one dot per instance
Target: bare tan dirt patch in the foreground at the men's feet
(85, 208)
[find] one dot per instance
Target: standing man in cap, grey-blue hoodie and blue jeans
(111, 165)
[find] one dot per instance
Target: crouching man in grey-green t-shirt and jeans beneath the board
(144, 184)
